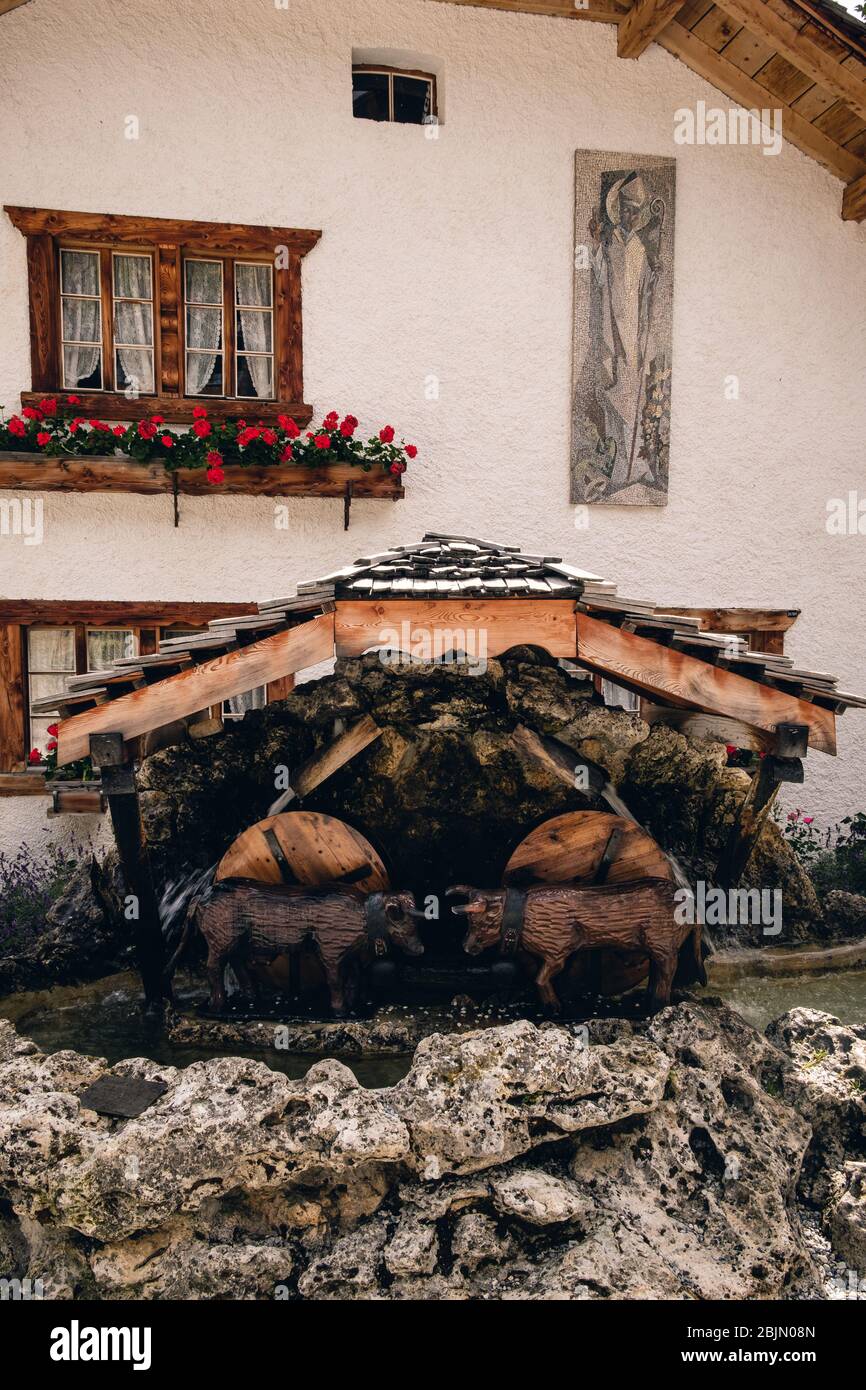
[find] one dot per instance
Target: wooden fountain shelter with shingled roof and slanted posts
(451, 594)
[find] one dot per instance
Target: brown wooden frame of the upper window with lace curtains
(169, 241)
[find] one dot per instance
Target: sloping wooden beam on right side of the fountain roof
(682, 680)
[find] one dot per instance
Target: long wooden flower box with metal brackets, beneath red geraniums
(119, 473)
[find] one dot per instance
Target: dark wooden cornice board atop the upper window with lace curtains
(115, 229)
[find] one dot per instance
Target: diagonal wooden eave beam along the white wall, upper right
(749, 94)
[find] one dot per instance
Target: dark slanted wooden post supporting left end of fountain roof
(122, 793)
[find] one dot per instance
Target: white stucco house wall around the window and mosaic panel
(454, 258)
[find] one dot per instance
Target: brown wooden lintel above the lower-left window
(116, 612)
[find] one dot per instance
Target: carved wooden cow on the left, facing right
(244, 921)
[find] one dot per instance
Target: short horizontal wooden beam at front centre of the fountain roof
(480, 628)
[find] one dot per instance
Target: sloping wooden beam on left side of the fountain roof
(201, 687)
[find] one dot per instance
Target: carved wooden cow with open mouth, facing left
(553, 922)
